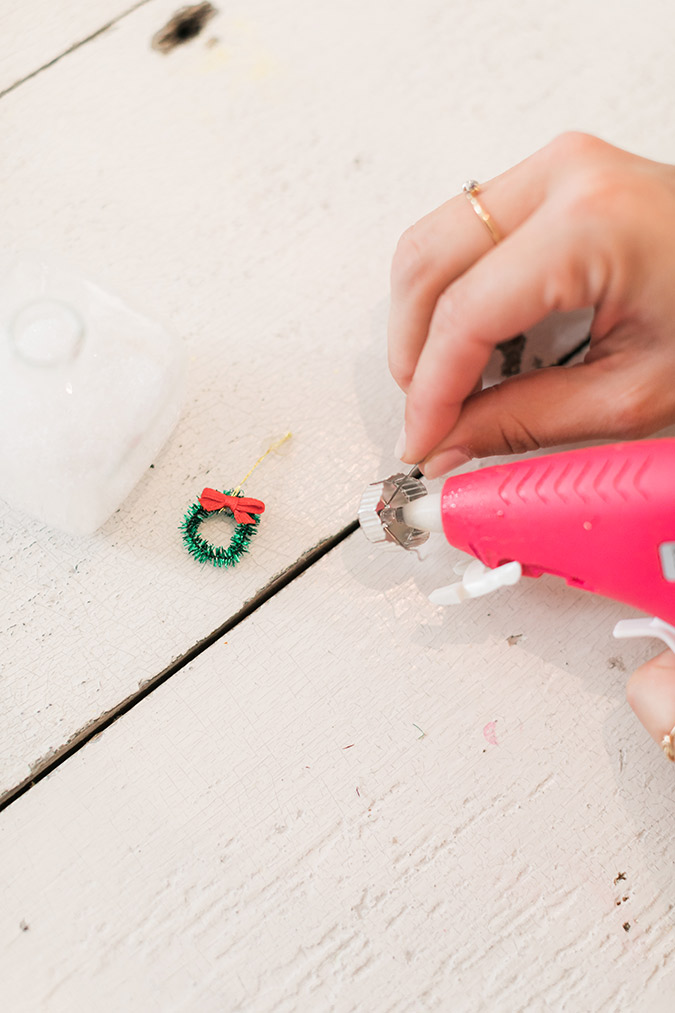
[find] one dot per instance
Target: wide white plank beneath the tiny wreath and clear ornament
(251, 192)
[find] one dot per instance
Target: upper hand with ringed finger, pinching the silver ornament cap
(585, 225)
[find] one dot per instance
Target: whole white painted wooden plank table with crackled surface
(352, 801)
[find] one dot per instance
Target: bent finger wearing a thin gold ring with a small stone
(443, 246)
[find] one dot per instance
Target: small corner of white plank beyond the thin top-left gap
(43, 33)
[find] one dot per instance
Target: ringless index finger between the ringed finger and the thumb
(541, 268)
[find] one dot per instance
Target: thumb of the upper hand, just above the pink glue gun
(544, 409)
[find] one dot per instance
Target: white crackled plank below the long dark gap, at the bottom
(359, 802)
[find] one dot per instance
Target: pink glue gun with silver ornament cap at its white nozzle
(603, 518)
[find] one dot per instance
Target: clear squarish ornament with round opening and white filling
(90, 392)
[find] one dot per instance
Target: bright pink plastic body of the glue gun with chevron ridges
(603, 518)
